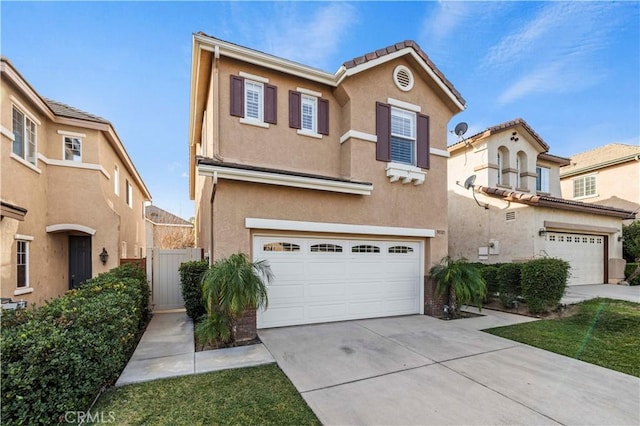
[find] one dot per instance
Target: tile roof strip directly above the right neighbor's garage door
(555, 202)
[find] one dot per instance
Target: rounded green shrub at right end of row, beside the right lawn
(543, 283)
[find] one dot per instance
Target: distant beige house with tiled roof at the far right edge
(608, 175)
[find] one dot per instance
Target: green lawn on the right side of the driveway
(604, 332)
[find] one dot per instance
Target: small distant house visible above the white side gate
(167, 231)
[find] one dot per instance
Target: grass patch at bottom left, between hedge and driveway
(256, 395)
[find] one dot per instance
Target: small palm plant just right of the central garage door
(461, 281)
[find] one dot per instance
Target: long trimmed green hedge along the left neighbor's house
(57, 357)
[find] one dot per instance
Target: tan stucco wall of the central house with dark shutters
(351, 107)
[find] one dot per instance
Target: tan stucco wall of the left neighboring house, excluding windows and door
(57, 193)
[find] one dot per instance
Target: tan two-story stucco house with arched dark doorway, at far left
(69, 193)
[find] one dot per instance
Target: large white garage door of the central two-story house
(322, 280)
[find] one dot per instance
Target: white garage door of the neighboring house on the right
(585, 254)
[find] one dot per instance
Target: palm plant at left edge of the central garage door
(229, 288)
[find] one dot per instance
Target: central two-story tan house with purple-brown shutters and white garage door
(337, 179)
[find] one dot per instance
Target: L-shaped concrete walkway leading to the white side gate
(167, 349)
